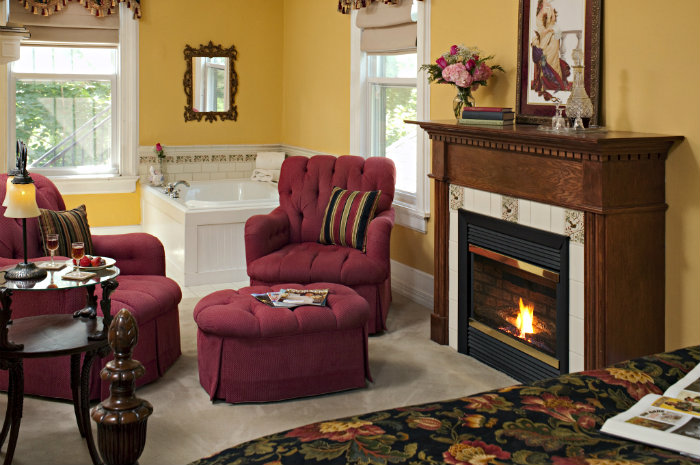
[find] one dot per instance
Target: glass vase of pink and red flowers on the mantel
(464, 68)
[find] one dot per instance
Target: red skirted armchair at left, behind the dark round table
(143, 290)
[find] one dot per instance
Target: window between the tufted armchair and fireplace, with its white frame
(386, 90)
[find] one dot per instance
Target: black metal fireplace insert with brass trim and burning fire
(514, 296)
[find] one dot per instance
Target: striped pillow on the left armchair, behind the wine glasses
(70, 225)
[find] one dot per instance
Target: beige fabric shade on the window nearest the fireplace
(387, 28)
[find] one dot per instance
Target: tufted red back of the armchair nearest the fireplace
(305, 187)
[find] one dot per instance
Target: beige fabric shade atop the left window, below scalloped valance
(72, 25)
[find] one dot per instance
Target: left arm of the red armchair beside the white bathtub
(265, 234)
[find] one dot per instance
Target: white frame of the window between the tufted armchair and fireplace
(412, 211)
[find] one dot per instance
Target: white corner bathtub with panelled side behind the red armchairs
(202, 231)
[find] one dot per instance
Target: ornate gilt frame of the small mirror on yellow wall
(210, 50)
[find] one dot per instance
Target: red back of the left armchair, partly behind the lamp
(47, 196)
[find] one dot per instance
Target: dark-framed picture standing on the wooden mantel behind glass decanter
(548, 31)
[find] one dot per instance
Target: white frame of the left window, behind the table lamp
(125, 119)
